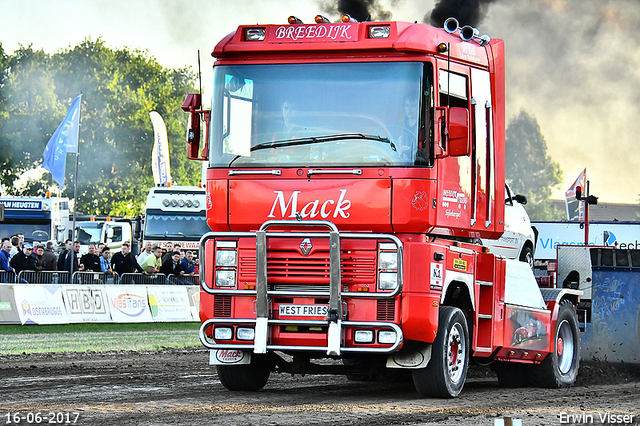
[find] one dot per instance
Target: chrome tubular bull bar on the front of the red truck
(334, 319)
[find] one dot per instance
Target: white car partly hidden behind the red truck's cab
(519, 239)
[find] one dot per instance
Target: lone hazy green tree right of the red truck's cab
(529, 169)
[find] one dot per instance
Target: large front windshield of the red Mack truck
(342, 114)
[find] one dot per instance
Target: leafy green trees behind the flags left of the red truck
(119, 87)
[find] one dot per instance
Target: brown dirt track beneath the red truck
(176, 387)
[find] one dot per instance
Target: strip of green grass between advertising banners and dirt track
(17, 339)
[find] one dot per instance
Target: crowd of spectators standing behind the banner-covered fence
(16, 256)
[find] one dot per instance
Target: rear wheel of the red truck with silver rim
(560, 368)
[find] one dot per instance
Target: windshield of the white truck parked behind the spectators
(175, 226)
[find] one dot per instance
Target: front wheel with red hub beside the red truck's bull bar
(445, 374)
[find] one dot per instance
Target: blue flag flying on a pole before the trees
(64, 139)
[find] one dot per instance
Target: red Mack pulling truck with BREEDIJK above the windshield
(354, 168)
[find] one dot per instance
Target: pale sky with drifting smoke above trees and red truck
(573, 64)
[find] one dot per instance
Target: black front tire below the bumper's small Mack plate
(246, 377)
